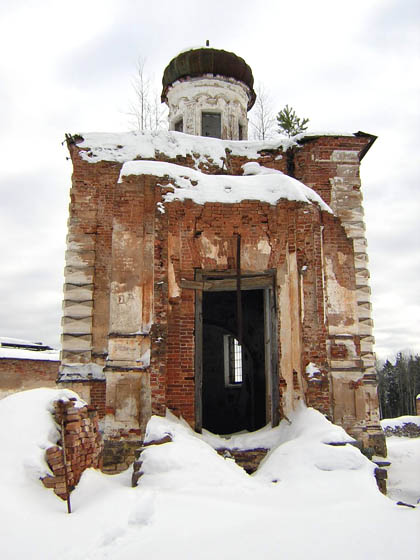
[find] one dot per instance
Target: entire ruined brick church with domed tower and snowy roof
(222, 279)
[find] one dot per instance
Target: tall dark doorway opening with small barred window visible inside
(234, 382)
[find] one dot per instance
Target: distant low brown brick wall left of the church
(21, 374)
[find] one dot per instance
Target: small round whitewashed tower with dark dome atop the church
(209, 92)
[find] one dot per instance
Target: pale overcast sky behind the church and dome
(68, 67)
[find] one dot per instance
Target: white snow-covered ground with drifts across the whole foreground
(307, 500)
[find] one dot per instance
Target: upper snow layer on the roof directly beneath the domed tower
(127, 146)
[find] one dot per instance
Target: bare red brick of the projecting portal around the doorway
(289, 226)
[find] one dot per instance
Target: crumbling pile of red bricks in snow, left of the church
(83, 446)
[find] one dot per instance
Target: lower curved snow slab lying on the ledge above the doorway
(259, 183)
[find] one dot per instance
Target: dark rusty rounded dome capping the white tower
(202, 61)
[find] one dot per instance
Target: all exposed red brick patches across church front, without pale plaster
(289, 226)
